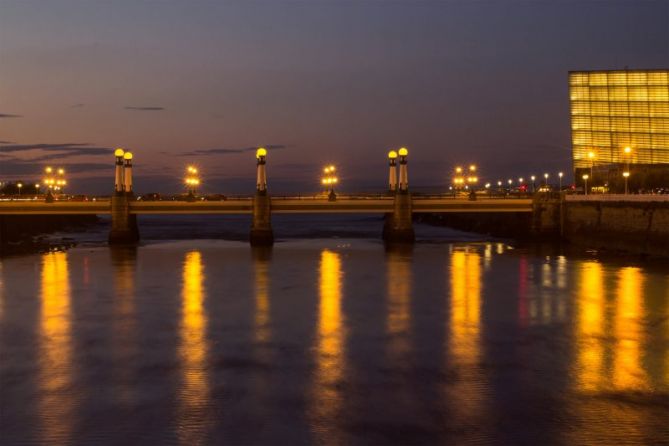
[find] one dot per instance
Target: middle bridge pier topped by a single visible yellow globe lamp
(261, 226)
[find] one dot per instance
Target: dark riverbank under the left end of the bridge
(24, 234)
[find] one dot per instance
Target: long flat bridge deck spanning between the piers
(279, 206)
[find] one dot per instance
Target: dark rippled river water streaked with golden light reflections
(458, 340)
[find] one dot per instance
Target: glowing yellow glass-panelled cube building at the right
(620, 121)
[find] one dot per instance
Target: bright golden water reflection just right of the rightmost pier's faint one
(468, 391)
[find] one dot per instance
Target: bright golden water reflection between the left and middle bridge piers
(194, 390)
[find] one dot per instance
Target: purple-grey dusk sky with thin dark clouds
(314, 81)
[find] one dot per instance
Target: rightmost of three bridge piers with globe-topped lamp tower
(398, 226)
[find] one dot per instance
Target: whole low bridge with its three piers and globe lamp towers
(397, 205)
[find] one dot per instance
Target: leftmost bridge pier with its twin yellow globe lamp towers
(124, 230)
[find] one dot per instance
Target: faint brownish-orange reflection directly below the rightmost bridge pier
(398, 322)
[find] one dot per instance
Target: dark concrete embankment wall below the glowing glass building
(636, 224)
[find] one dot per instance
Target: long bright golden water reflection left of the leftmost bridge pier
(55, 363)
